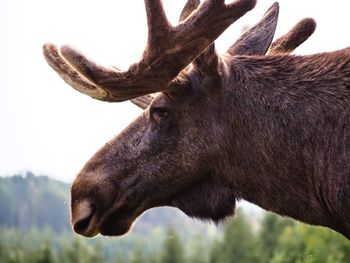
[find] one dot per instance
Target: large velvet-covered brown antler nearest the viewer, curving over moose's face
(169, 50)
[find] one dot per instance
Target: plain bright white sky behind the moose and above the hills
(49, 128)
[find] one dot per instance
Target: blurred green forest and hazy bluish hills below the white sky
(34, 228)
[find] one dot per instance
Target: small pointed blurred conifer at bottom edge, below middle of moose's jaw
(173, 251)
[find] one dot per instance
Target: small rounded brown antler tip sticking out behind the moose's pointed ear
(296, 36)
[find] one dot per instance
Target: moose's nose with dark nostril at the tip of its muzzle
(83, 218)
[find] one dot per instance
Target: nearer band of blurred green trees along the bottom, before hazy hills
(276, 240)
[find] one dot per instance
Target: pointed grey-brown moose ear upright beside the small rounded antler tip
(257, 40)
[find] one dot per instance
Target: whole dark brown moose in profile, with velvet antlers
(255, 123)
